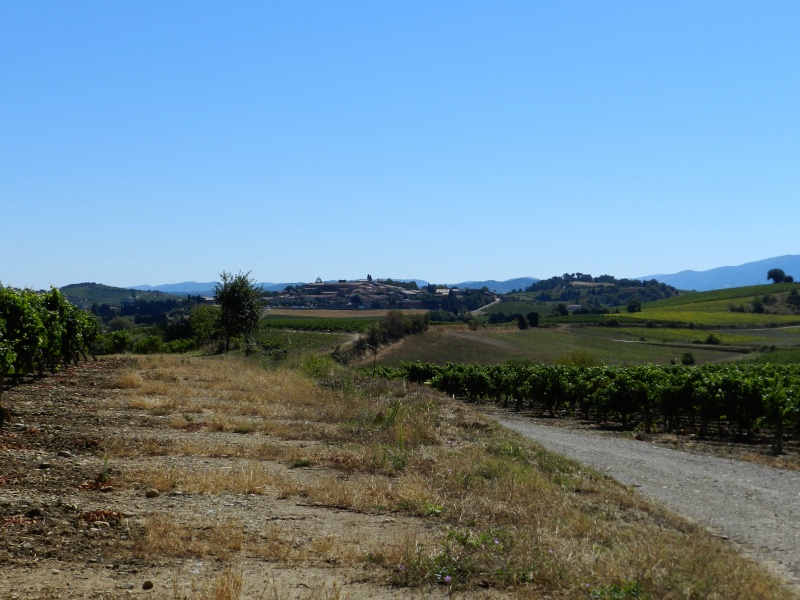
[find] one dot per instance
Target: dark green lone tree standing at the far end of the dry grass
(240, 305)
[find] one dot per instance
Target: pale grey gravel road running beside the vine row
(754, 505)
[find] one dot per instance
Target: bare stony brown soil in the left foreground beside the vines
(74, 523)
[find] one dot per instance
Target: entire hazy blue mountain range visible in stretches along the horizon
(754, 273)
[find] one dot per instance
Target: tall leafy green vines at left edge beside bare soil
(40, 332)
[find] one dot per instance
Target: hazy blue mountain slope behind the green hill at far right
(754, 273)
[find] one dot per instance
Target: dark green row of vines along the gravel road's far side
(736, 399)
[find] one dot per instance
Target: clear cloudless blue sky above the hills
(160, 142)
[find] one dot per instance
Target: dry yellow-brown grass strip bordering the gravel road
(510, 515)
